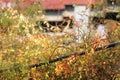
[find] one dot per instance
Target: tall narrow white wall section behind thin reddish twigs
(81, 14)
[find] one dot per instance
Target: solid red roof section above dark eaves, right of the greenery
(60, 4)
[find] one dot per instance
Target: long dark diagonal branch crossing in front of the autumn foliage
(63, 57)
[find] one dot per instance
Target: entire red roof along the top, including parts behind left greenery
(55, 4)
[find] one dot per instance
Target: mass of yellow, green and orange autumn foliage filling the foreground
(24, 46)
